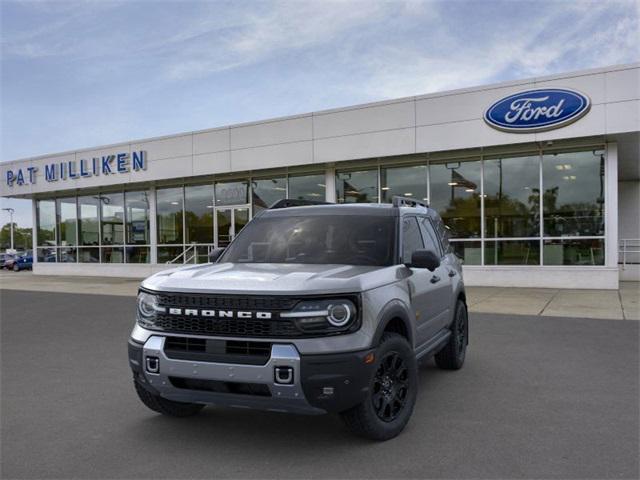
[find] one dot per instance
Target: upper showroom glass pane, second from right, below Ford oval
(512, 197)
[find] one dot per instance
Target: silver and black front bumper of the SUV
(319, 383)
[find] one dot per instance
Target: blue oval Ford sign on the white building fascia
(537, 110)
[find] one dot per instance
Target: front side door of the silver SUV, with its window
(421, 289)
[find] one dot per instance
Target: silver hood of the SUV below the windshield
(269, 278)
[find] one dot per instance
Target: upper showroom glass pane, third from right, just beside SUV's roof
(455, 195)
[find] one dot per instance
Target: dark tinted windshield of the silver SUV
(338, 239)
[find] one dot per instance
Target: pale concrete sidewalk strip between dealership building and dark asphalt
(623, 304)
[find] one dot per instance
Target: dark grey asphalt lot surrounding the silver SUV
(539, 397)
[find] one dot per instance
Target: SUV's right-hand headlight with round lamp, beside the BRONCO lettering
(324, 316)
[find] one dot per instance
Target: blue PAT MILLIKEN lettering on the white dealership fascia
(117, 163)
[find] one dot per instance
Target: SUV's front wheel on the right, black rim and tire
(392, 392)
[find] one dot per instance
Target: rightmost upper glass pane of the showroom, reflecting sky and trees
(573, 198)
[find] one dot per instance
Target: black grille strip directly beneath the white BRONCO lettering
(234, 327)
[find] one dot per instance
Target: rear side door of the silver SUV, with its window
(441, 280)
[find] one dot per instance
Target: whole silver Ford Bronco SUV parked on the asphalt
(313, 308)
